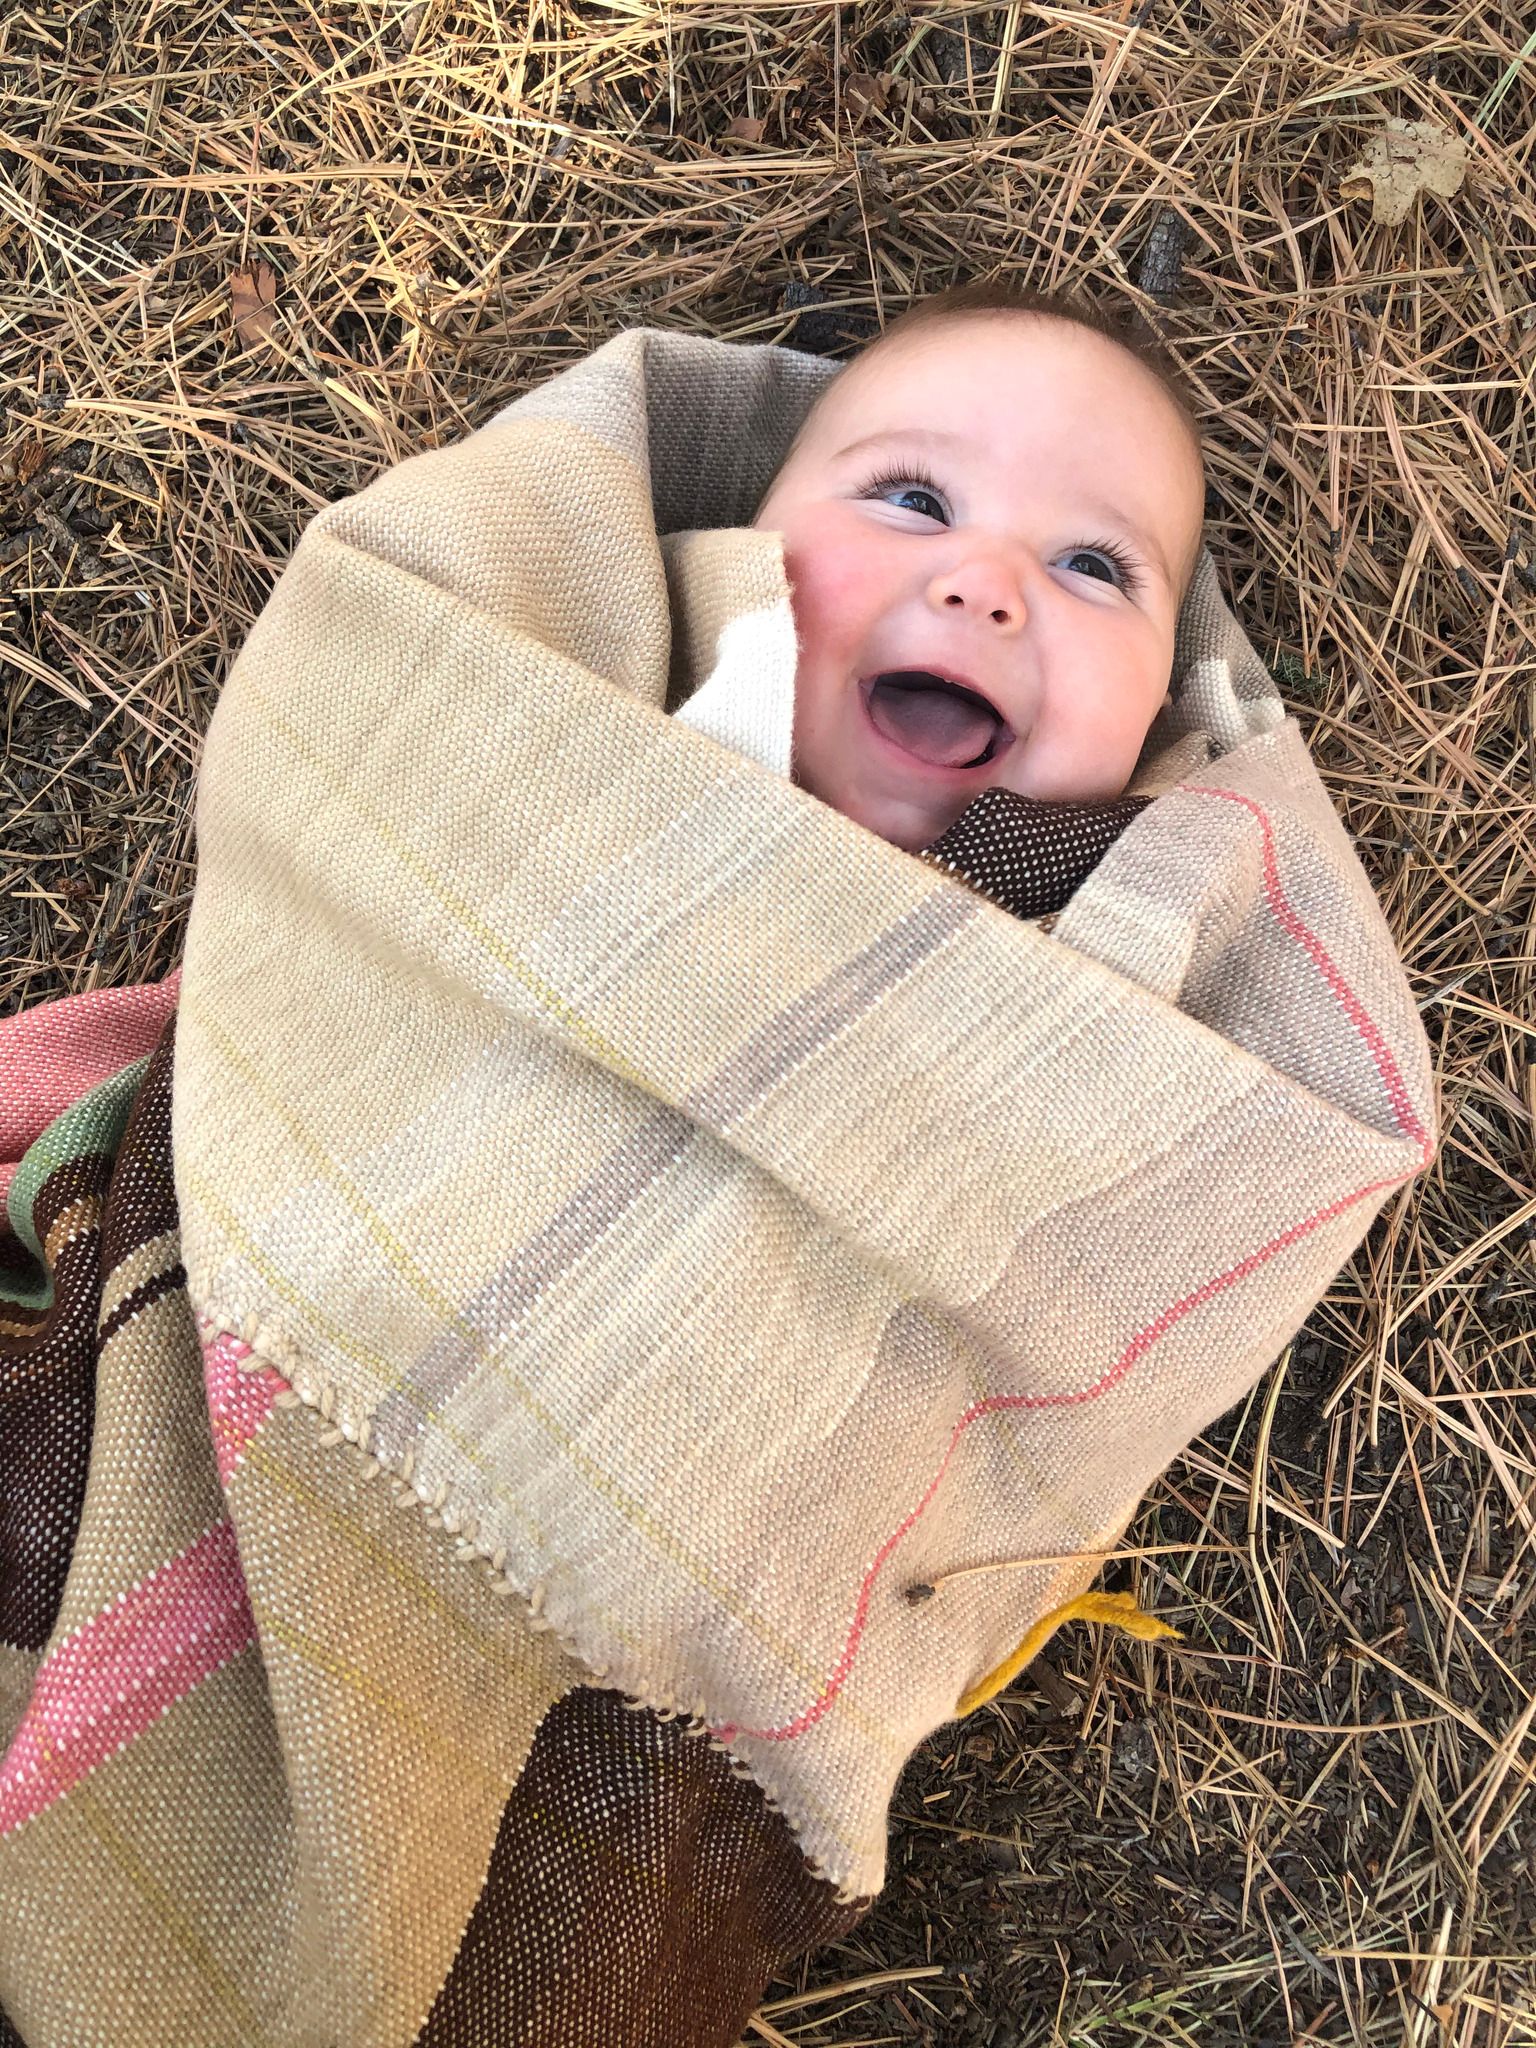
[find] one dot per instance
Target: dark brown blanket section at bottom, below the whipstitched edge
(640, 1895)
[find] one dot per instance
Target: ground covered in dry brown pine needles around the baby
(1316, 1822)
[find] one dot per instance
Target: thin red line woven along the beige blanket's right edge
(1408, 1123)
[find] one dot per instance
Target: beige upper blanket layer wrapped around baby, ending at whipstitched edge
(716, 1215)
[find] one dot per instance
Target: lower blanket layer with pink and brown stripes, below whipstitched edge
(278, 1770)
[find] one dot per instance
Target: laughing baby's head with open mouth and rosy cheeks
(1002, 503)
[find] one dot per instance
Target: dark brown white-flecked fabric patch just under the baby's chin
(1029, 855)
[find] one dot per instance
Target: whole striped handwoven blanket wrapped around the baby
(638, 1228)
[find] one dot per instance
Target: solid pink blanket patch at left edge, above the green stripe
(52, 1054)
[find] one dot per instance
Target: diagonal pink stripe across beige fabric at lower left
(118, 1674)
